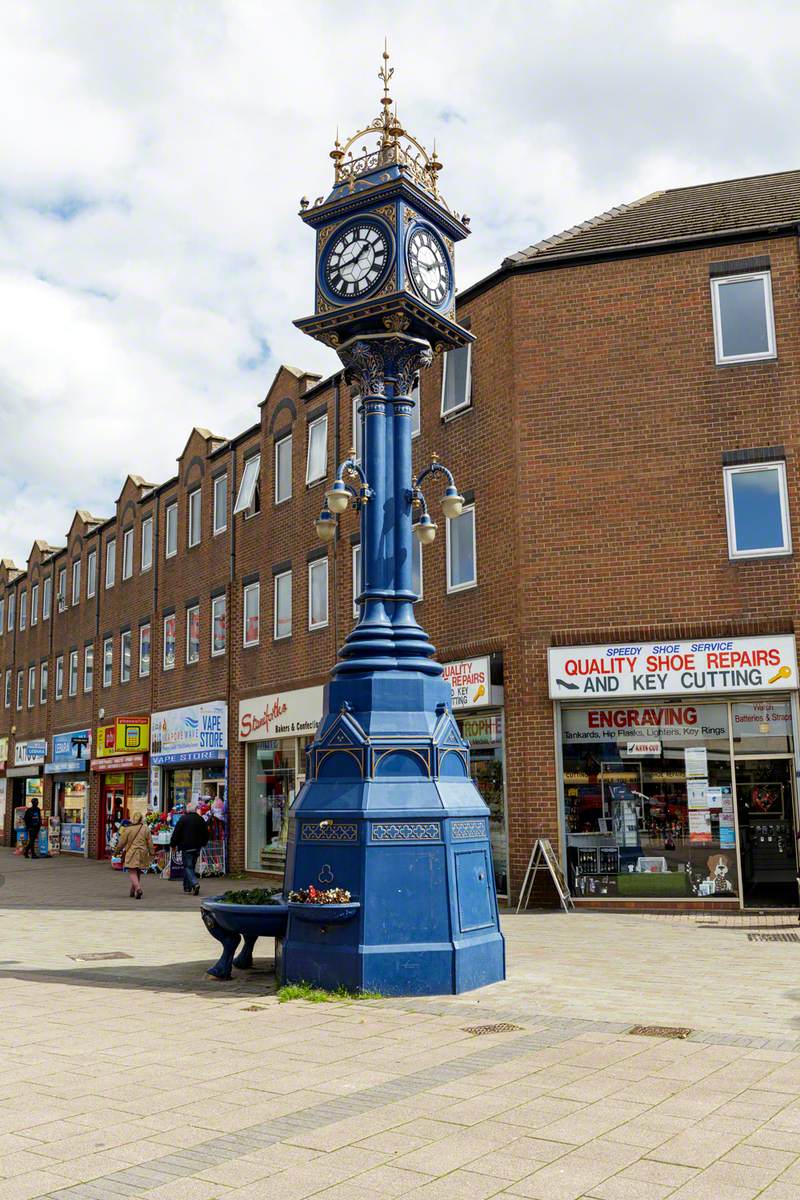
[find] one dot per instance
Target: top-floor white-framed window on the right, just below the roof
(744, 326)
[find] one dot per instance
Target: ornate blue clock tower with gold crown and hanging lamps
(389, 811)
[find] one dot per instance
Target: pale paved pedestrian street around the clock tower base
(143, 1077)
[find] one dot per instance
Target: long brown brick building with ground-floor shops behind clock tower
(624, 433)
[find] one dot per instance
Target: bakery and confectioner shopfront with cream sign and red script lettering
(276, 730)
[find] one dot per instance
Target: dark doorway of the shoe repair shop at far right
(767, 832)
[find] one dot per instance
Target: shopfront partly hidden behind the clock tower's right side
(477, 688)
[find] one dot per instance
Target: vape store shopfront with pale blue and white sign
(189, 761)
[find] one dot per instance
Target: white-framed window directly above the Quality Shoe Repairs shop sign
(757, 511)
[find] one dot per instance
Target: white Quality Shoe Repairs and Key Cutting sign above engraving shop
(699, 667)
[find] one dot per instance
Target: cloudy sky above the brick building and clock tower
(153, 155)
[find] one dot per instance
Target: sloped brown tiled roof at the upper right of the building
(679, 214)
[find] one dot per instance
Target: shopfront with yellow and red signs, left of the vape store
(122, 753)
